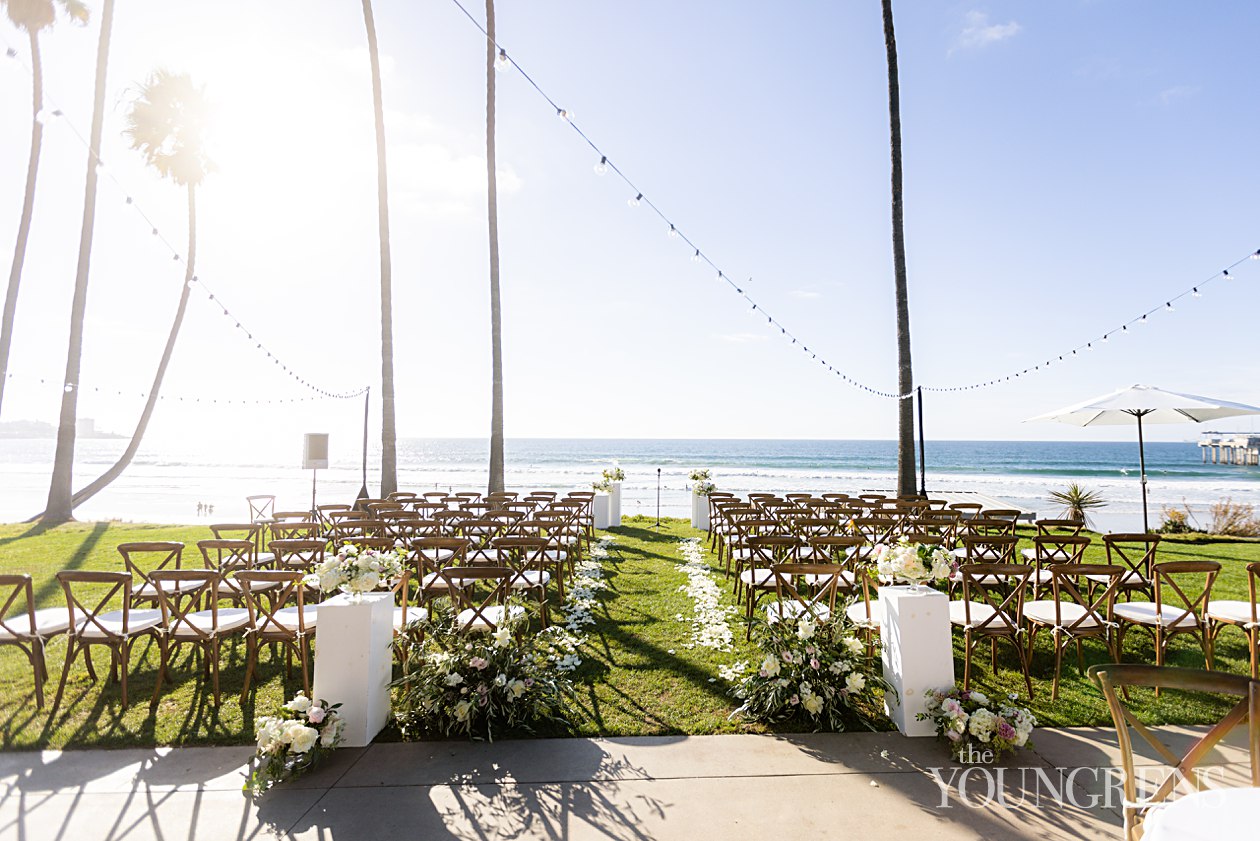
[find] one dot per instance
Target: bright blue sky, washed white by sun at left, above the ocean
(1068, 167)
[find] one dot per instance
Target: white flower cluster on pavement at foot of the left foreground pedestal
(295, 739)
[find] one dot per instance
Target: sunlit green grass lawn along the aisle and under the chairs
(638, 678)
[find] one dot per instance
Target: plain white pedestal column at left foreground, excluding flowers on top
(353, 660)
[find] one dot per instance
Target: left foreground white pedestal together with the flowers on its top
(355, 639)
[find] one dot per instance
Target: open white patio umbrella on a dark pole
(1150, 405)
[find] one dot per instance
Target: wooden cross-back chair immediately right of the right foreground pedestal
(992, 611)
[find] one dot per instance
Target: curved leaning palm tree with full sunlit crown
(167, 124)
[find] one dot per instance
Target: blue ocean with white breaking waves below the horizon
(167, 484)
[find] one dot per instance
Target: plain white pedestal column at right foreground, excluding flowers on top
(918, 654)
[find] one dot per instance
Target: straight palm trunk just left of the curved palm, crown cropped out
(60, 507)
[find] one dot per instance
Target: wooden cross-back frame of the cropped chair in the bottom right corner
(1122, 676)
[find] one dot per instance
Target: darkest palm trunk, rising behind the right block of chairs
(905, 373)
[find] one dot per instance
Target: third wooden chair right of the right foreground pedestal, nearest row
(1183, 592)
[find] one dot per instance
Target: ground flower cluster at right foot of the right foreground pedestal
(978, 729)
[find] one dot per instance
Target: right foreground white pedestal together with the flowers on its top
(914, 634)
